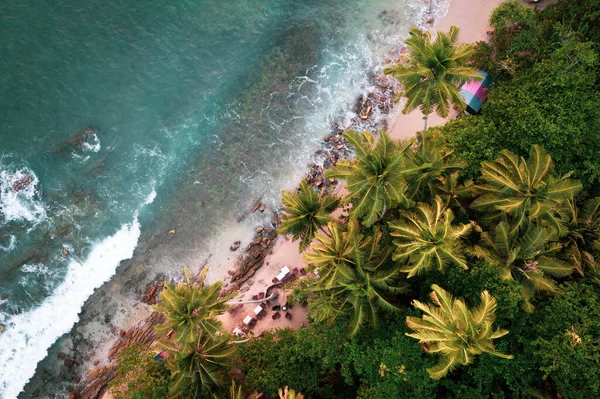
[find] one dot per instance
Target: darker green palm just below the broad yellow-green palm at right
(525, 255)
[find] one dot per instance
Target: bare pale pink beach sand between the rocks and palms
(472, 17)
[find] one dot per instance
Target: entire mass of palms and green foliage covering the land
(498, 209)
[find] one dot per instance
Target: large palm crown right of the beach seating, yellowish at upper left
(354, 280)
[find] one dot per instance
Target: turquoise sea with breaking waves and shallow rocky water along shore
(197, 110)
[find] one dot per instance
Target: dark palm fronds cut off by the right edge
(582, 242)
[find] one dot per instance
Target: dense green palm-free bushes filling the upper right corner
(551, 99)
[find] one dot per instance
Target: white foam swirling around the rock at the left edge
(24, 205)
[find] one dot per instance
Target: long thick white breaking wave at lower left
(27, 336)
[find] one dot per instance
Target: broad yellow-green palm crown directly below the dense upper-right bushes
(524, 191)
